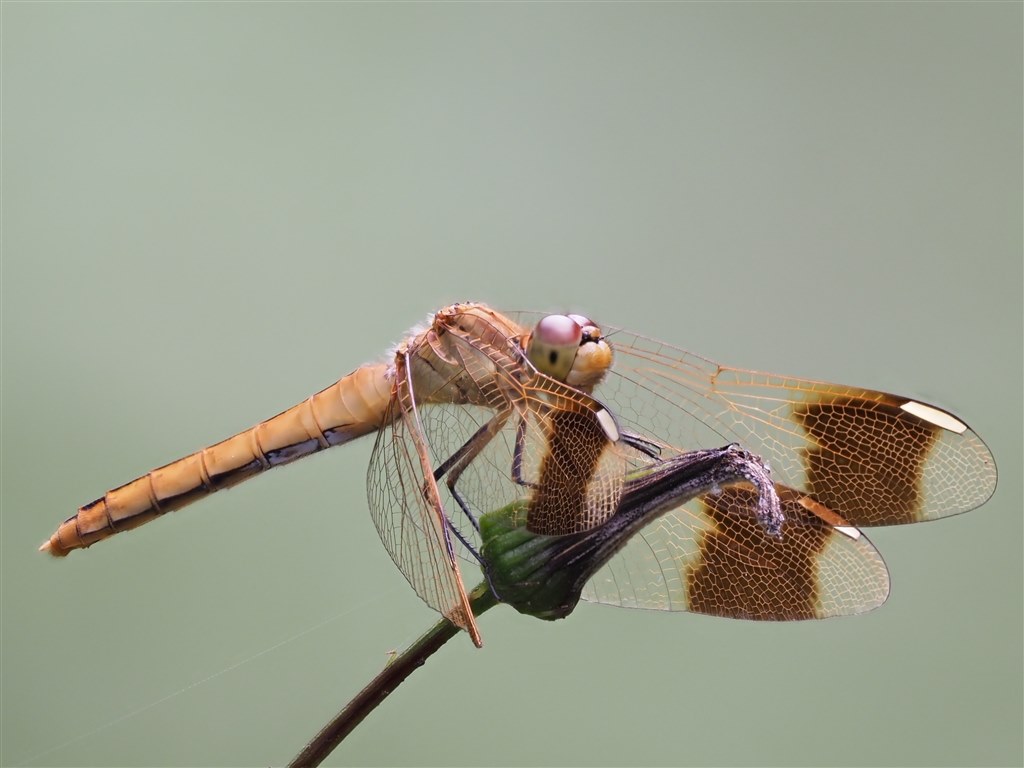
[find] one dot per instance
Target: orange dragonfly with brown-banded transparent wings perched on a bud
(478, 410)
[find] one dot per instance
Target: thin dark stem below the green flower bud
(481, 600)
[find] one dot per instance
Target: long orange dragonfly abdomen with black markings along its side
(351, 408)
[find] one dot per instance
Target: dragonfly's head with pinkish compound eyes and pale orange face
(571, 349)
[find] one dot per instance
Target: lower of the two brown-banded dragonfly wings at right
(712, 557)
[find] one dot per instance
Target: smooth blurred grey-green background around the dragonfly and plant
(211, 211)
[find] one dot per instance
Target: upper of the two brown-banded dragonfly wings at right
(875, 459)
